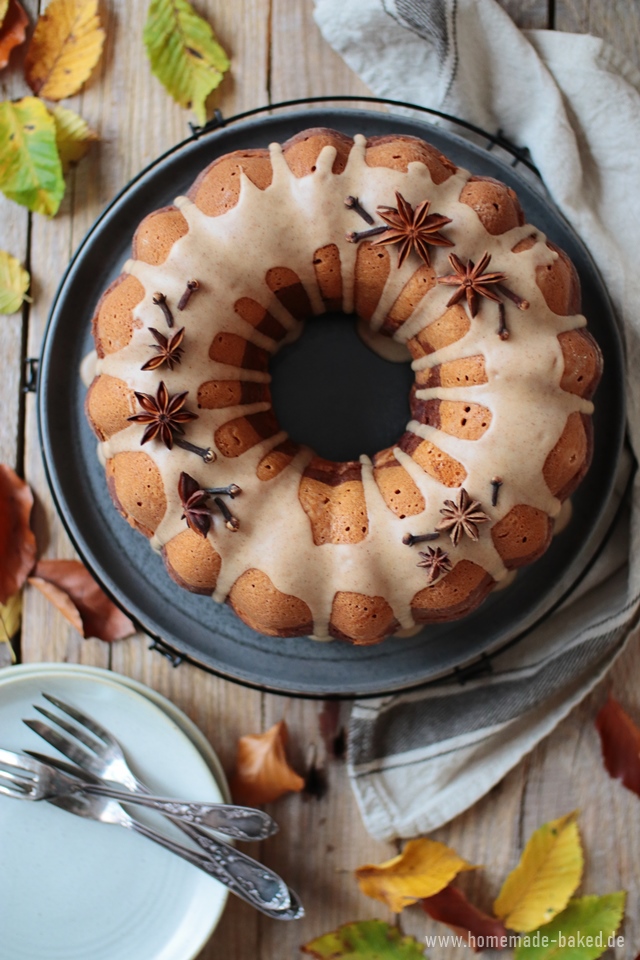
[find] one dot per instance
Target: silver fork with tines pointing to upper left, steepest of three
(244, 876)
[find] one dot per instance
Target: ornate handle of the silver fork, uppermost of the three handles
(241, 823)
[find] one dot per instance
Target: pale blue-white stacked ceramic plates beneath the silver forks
(72, 889)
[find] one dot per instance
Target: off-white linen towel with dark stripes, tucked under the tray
(416, 760)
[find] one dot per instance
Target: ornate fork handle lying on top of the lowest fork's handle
(247, 878)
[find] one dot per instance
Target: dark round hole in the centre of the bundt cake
(333, 393)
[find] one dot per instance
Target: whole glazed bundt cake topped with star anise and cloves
(436, 264)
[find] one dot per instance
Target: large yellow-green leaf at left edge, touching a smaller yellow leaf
(30, 169)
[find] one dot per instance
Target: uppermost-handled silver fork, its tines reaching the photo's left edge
(45, 777)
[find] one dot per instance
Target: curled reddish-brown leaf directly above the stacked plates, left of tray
(71, 588)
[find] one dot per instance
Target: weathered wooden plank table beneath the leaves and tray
(278, 53)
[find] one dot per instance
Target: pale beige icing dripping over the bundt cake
(284, 225)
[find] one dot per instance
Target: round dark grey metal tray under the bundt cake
(195, 628)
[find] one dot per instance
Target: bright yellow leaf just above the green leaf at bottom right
(548, 873)
